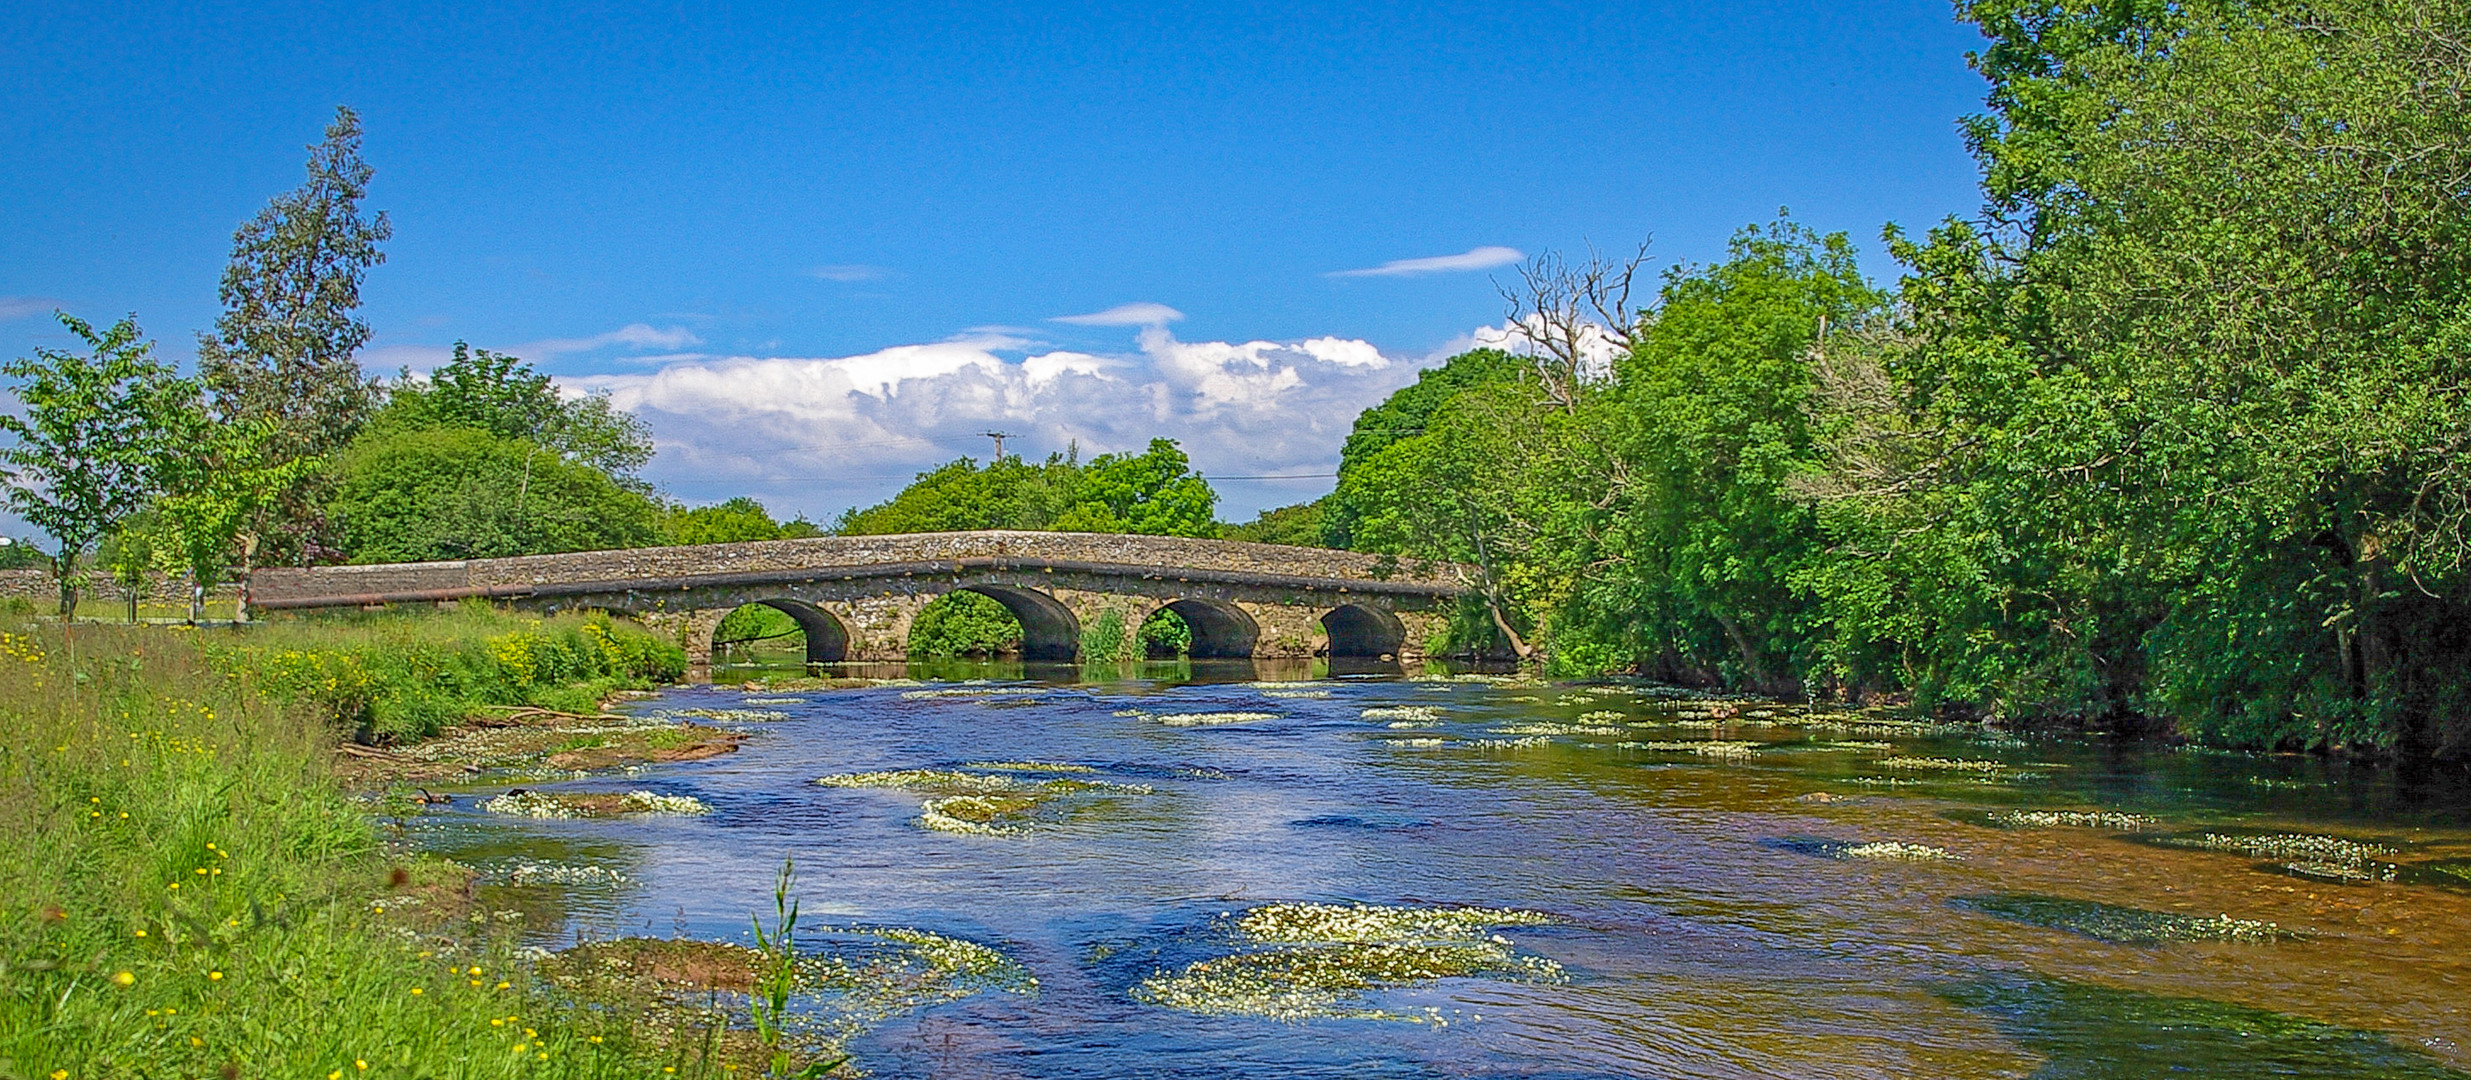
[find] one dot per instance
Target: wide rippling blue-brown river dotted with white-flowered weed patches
(1672, 888)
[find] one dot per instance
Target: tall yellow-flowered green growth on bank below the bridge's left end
(409, 676)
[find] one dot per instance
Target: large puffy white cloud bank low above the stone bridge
(817, 434)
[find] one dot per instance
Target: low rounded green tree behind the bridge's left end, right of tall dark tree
(461, 493)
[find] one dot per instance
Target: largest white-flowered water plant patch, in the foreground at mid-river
(1321, 960)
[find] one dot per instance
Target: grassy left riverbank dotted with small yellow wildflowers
(189, 891)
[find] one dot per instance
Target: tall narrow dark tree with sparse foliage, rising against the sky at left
(283, 347)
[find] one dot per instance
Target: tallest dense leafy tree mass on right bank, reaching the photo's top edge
(2176, 429)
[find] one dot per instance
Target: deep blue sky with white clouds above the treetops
(819, 248)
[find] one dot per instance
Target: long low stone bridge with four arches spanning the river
(856, 594)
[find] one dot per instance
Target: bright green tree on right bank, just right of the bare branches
(1696, 555)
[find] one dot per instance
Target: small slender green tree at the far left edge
(88, 444)
